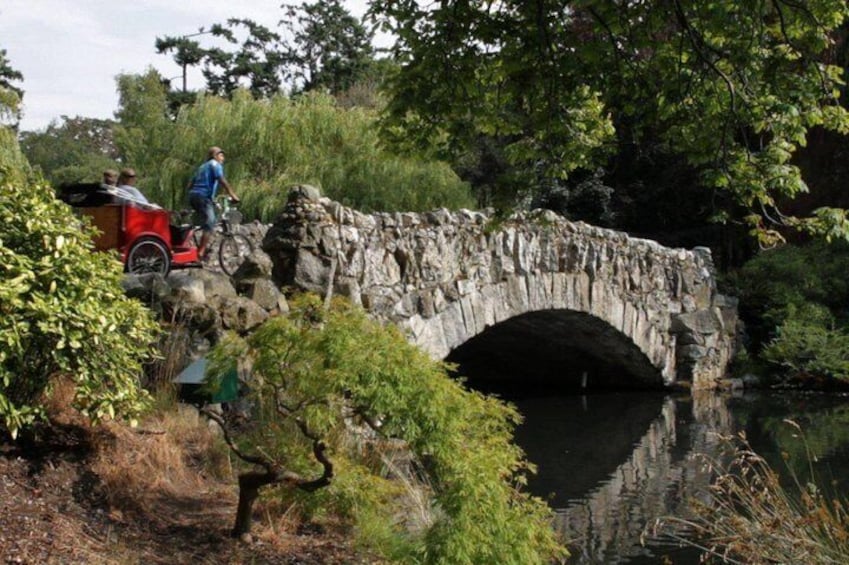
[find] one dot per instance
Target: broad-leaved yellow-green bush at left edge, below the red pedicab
(63, 312)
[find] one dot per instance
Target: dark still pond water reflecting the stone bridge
(611, 464)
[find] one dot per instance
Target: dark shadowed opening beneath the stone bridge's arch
(556, 348)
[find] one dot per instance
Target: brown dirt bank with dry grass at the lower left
(75, 498)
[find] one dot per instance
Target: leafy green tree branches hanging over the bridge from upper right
(733, 87)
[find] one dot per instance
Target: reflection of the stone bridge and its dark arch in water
(611, 464)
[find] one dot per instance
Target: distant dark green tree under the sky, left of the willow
(73, 150)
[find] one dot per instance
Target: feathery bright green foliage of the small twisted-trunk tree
(362, 387)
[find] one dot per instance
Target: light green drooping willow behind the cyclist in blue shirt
(272, 145)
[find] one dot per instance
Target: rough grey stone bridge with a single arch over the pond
(534, 296)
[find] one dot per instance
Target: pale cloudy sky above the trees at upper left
(70, 51)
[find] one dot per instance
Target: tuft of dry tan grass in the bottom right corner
(750, 517)
